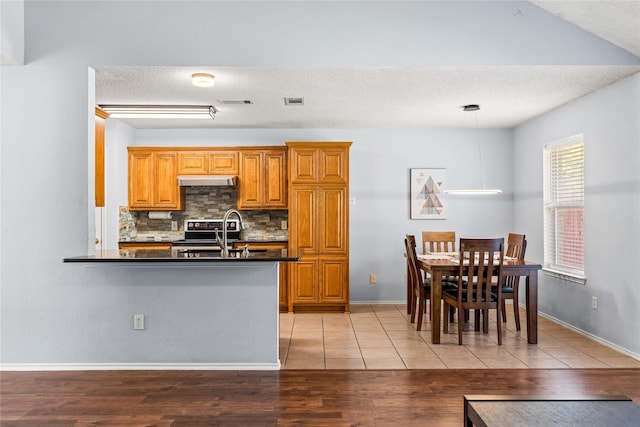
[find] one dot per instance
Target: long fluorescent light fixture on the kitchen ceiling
(160, 111)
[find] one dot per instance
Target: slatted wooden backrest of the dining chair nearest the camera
(485, 258)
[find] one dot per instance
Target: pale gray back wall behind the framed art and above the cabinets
(379, 178)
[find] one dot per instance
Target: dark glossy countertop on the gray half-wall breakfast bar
(180, 257)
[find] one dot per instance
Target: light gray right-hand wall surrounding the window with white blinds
(610, 122)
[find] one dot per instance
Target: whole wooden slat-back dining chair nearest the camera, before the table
(481, 262)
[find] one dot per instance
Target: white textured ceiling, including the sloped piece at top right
(417, 97)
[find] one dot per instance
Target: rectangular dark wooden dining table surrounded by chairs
(439, 268)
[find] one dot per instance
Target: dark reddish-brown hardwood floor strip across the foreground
(285, 398)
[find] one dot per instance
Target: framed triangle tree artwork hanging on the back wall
(428, 200)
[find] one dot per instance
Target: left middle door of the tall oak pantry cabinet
(303, 224)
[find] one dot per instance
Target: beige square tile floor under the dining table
(380, 337)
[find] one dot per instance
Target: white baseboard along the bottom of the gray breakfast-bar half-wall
(140, 366)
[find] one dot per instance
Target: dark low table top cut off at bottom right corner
(550, 410)
